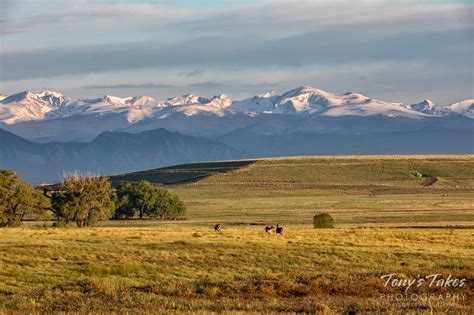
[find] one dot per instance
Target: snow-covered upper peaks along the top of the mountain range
(305, 100)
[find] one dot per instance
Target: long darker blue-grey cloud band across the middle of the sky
(320, 47)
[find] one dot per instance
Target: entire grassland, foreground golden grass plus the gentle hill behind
(184, 266)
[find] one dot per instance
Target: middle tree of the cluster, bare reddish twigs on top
(83, 200)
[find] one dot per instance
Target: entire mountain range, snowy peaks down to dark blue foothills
(45, 134)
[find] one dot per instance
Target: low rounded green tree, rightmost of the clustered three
(146, 199)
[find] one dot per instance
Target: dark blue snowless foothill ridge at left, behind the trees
(109, 153)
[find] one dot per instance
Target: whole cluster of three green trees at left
(84, 201)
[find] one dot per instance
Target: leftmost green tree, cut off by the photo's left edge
(18, 199)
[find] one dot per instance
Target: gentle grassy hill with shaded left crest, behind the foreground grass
(356, 190)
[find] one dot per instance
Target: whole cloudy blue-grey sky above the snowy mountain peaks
(399, 51)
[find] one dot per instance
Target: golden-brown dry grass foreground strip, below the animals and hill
(170, 268)
